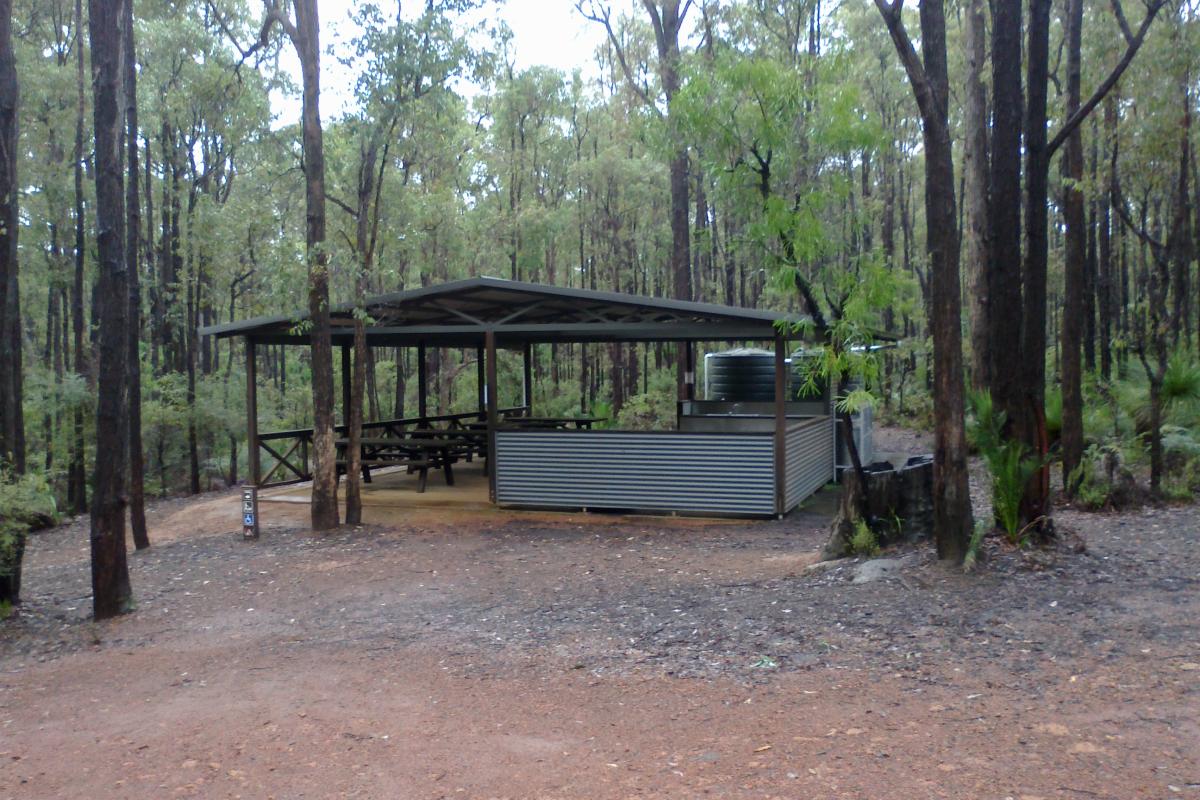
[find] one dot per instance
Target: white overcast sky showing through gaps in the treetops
(549, 33)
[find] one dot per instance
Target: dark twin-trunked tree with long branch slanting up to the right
(1018, 374)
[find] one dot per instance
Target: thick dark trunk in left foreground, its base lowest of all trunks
(110, 574)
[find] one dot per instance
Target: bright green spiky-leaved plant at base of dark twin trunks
(1009, 462)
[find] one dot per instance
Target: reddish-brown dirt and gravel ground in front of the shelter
(565, 657)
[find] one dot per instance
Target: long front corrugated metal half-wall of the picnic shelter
(697, 473)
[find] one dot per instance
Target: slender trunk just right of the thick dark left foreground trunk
(133, 261)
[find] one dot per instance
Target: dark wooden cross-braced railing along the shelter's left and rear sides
(286, 455)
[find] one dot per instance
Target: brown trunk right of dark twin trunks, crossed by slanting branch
(1072, 443)
